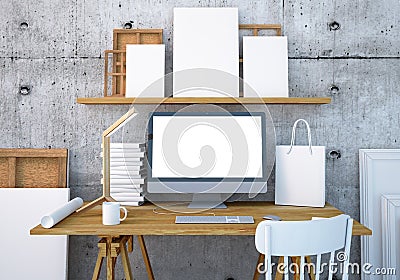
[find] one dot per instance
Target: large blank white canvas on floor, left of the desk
(25, 256)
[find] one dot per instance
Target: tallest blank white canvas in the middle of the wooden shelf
(206, 38)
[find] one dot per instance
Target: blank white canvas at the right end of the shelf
(265, 66)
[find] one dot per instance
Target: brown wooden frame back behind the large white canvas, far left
(33, 168)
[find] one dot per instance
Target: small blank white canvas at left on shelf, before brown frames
(145, 64)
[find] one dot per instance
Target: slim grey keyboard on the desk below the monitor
(214, 220)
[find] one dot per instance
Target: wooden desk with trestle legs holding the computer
(143, 221)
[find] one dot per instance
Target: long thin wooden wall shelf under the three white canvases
(204, 100)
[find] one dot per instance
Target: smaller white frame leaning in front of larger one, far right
(390, 203)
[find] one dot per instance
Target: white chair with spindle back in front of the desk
(305, 238)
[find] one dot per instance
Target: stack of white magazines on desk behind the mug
(127, 173)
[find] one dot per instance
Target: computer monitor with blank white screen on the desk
(210, 155)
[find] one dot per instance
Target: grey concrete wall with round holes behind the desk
(59, 53)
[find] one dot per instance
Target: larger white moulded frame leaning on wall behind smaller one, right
(378, 175)
